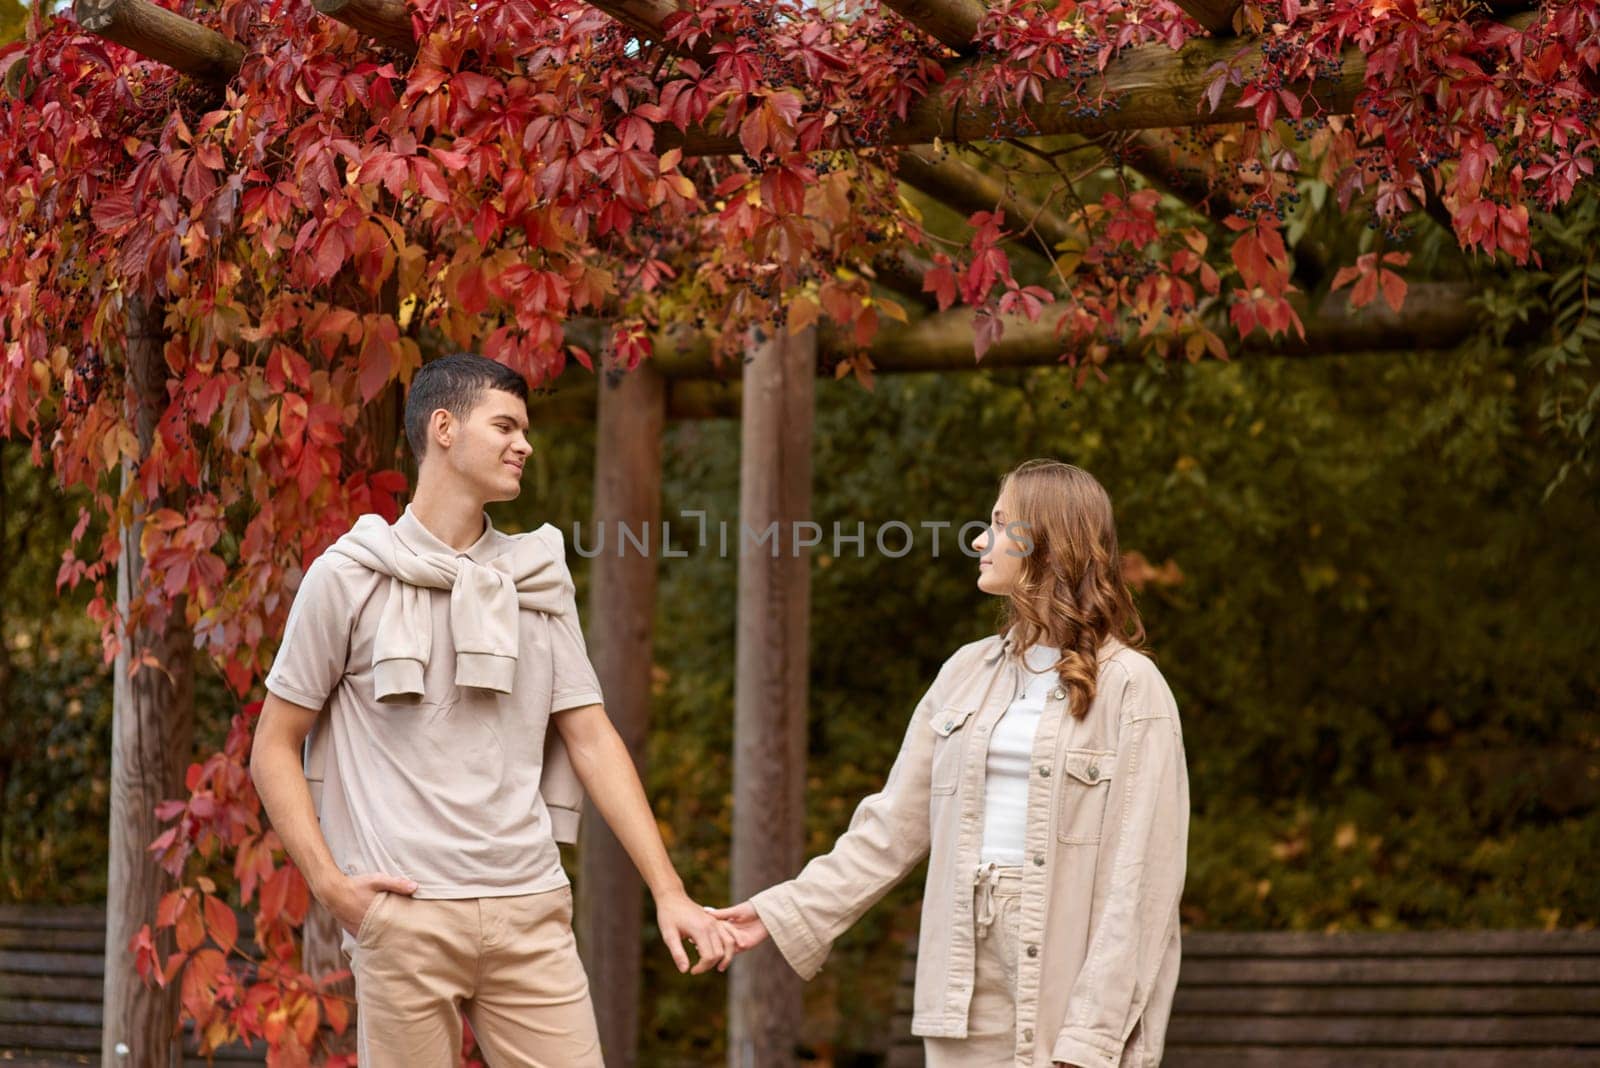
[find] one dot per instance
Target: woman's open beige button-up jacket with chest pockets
(1108, 827)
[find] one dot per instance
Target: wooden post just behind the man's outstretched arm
(631, 416)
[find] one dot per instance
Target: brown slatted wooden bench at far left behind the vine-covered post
(52, 968)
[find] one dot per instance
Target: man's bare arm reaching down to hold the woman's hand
(607, 771)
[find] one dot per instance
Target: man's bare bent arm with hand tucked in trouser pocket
(281, 781)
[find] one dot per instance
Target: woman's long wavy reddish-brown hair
(1070, 592)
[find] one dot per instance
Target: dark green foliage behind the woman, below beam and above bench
(1382, 642)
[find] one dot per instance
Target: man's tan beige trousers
(510, 963)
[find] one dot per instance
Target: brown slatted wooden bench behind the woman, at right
(1441, 998)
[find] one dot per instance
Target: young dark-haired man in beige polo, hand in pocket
(433, 658)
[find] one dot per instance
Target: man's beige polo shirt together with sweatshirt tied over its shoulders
(438, 672)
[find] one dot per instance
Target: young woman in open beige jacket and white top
(1042, 776)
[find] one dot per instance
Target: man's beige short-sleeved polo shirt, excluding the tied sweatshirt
(442, 791)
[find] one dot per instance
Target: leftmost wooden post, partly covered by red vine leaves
(153, 735)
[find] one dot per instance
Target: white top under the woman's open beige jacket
(1012, 755)
